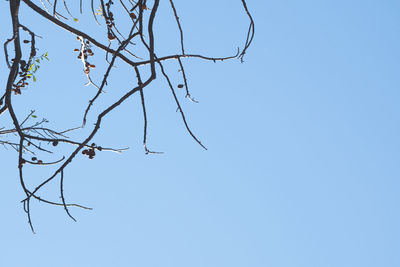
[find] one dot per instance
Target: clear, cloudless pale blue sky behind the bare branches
(303, 162)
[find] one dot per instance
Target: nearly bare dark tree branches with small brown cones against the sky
(31, 139)
